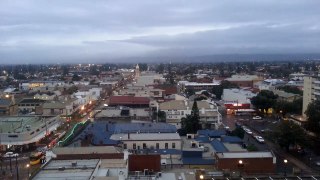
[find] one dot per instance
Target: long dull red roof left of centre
(123, 100)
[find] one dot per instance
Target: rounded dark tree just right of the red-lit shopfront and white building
(264, 100)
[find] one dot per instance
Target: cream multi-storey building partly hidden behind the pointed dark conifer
(177, 109)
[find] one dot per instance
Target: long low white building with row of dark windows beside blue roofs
(149, 140)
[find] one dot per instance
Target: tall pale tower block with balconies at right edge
(311, 91)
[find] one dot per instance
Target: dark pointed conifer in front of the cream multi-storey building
(191, 124)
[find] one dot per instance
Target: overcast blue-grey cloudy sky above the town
(58, 31)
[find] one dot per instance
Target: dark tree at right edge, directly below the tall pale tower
(313, 117)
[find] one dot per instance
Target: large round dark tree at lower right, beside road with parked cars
(289, 134)
